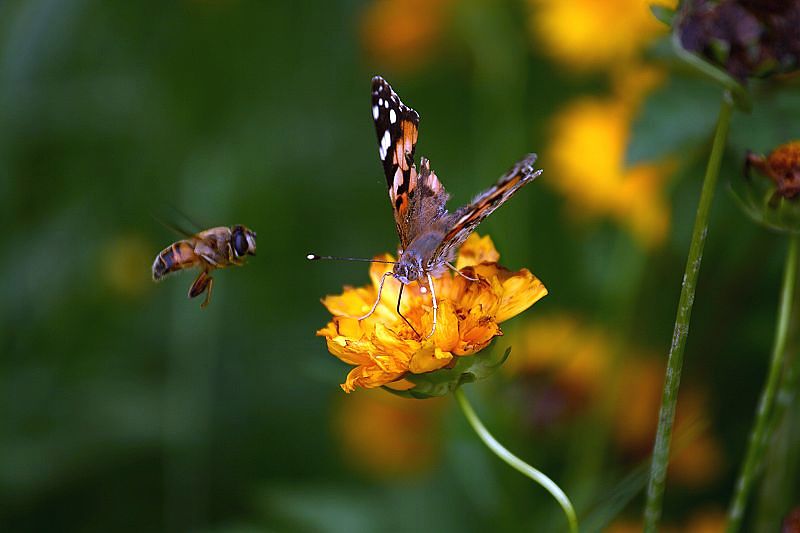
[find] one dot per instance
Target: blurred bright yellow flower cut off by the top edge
(594, 34)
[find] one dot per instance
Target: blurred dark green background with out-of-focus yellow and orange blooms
(125, 407)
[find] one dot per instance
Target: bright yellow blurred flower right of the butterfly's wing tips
(587, 161)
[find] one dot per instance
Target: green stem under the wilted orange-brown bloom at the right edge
(760, 433)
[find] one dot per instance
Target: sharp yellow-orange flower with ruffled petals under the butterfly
(383, 348)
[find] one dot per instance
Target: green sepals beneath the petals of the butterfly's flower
(467, 369)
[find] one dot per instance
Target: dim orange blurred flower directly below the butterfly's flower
(387, 436)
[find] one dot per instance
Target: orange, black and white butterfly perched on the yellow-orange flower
(429, 234)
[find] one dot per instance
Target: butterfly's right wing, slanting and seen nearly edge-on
(466, 219)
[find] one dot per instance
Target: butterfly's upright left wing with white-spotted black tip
(396, 127)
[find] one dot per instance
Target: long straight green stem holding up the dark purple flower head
(669, 398)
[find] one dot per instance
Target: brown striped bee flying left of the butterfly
(208, 250)
